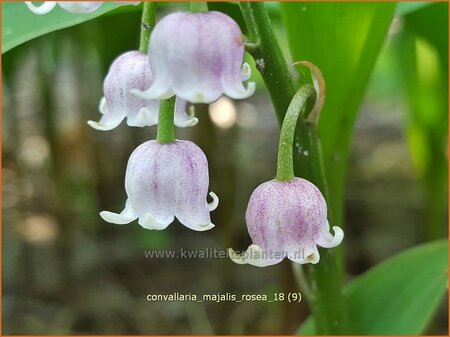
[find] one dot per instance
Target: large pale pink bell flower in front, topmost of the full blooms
(198, 57)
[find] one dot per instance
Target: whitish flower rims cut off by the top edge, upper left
(78, 7)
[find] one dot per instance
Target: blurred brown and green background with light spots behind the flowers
(65, 271)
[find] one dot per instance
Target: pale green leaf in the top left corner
(20, 25)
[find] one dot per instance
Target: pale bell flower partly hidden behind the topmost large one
(132, 70)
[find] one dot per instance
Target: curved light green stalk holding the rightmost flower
(285, 162)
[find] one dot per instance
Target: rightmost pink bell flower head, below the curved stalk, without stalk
(287, 219)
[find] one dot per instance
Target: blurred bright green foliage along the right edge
(422, 50)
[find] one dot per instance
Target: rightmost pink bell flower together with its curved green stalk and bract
(287, 216)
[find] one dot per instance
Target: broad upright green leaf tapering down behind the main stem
(343, 40)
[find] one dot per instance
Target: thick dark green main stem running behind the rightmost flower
(328, 302)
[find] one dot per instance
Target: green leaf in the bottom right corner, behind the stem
(398, 296)
